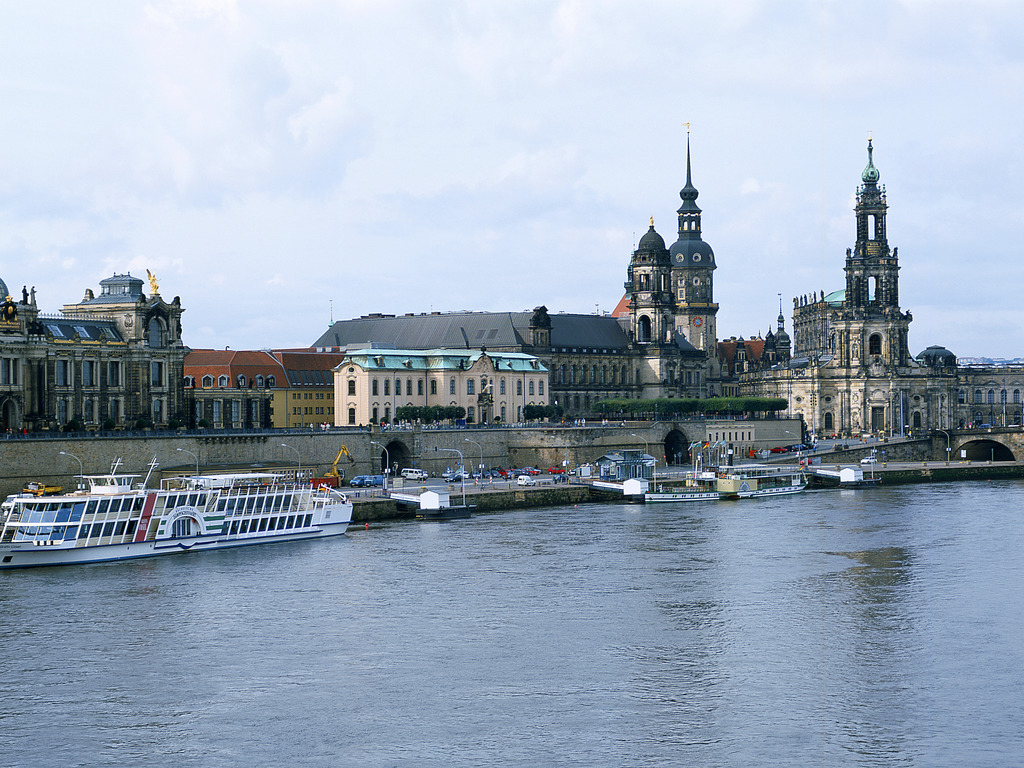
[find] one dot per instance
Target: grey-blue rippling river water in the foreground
(868, 628)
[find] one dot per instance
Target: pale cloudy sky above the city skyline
(275, 161)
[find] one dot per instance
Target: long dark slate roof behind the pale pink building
(509, 331)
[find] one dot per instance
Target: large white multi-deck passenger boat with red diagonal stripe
(117, 519)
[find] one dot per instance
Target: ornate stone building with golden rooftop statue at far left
(112, 361)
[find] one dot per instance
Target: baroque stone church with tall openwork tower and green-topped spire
(851, 370)
